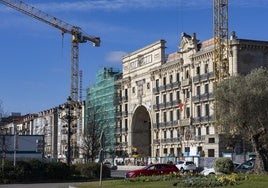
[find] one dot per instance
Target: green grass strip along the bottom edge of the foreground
(256, 181)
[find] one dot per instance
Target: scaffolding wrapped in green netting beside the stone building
(101, 103)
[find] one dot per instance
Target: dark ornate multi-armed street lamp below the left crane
(70, 108)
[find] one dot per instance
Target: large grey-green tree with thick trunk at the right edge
(242, 110)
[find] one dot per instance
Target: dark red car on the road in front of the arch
(153, 170)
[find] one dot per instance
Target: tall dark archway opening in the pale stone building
(141, 131)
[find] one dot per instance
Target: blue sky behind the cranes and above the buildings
(35, 59)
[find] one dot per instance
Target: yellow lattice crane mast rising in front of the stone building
(221, 40)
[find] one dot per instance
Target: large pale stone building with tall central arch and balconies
(167, 103)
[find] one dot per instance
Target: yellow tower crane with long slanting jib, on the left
(78, 36)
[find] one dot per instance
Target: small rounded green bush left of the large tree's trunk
(223, 165)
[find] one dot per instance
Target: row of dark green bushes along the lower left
(36, 171)
